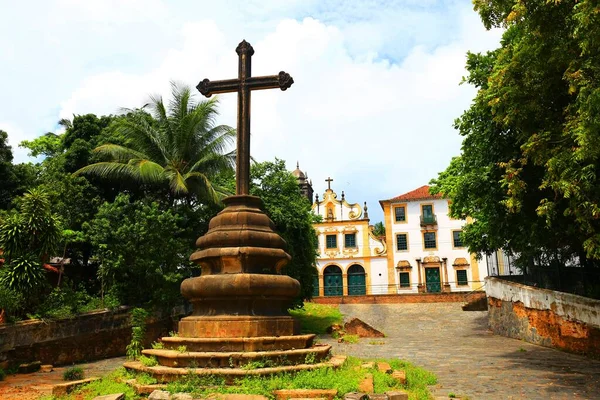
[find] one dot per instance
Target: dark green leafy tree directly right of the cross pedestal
(291, 213)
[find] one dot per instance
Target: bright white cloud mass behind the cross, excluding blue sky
(378, 127)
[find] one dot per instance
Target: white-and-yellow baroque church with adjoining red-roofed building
(421, 252)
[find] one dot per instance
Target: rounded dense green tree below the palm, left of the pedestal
(142, 249)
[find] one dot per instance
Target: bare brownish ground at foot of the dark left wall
(32, 386)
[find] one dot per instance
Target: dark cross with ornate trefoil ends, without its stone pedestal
(243, 85)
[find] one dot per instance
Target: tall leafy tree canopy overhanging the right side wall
(528, 173)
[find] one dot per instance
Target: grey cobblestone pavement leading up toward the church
(467, 358)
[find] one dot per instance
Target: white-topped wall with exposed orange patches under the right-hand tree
(544, 317)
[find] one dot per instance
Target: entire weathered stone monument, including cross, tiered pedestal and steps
(241, 300)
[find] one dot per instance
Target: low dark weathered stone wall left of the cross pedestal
(87, 337)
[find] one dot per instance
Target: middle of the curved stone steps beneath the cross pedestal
(238, 359)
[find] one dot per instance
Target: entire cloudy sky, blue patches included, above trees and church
(376, 82)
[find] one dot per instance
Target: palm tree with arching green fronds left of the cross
(180, 146)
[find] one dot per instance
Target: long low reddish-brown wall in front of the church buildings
(455, 297)
